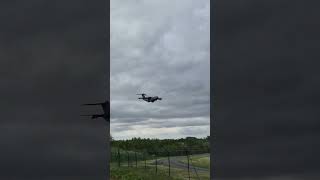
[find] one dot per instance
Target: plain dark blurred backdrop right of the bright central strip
(265, 89)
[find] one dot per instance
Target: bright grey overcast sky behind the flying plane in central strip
(161, 48)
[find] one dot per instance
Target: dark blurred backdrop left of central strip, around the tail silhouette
(53, 58)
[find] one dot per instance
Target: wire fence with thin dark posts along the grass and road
(177, 163)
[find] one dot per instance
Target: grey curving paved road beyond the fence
(176, 163)
